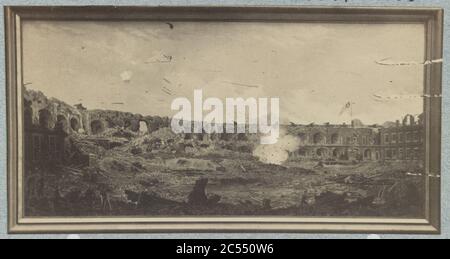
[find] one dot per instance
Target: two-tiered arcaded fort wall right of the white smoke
(356, 142)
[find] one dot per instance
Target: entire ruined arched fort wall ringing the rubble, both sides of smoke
(321, 142)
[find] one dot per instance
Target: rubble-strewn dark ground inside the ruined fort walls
(162, 174)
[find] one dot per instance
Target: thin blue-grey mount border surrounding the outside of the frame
(414, 3)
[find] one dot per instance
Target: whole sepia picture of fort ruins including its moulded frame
(224, 119)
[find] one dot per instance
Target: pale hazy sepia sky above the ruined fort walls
(315, 69)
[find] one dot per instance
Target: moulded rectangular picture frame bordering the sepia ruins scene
(431, 18)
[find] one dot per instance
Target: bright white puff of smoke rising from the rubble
(278, 153)
